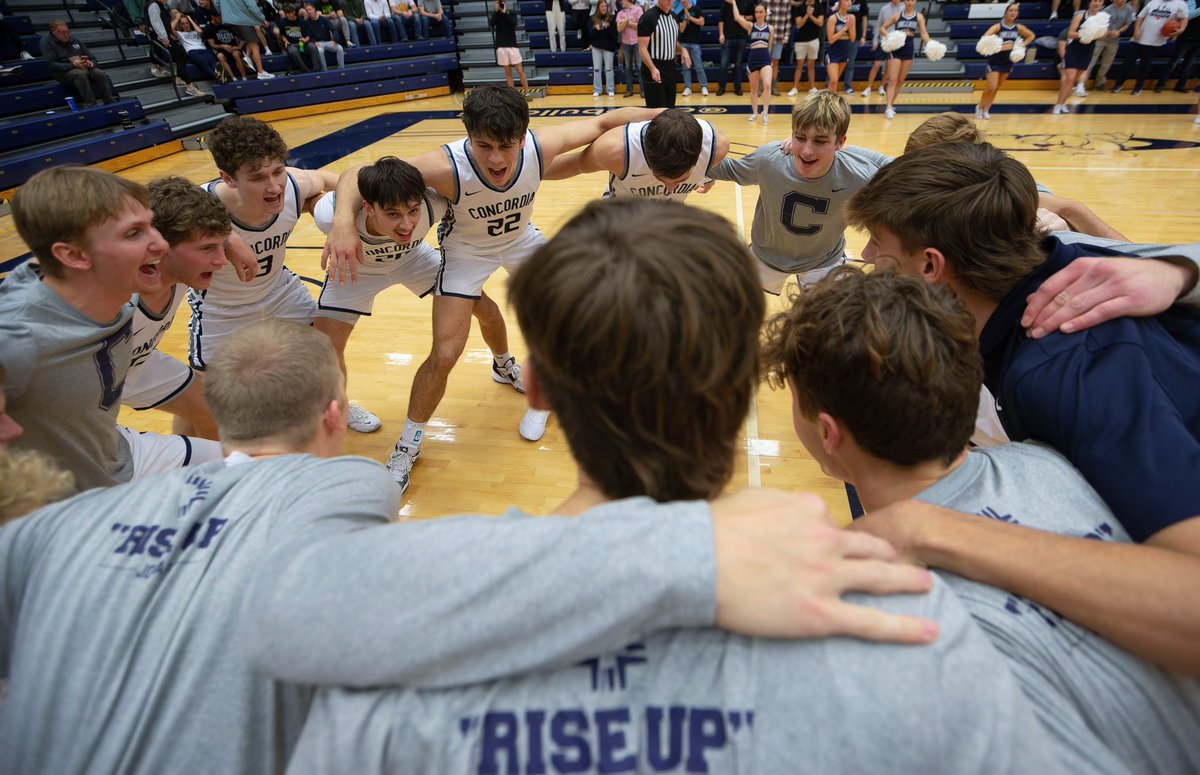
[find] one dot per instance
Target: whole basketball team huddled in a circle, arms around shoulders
(1011, 392)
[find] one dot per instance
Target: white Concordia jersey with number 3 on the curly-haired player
(268, 243)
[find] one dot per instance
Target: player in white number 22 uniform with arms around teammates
(490, 179)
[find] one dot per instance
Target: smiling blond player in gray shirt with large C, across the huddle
(799, 224)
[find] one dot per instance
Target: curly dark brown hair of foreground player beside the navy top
(893, 358)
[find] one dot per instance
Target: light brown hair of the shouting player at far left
(63, 203)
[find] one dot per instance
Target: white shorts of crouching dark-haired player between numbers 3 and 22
(418, 272)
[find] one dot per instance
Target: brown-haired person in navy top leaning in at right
(1119, 401)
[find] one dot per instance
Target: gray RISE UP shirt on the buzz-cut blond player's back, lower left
(119, 614)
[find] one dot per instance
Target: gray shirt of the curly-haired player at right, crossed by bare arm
(1089, 693)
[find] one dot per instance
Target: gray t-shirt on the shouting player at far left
(64, 379)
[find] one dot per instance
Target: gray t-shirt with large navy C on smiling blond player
(800, 225)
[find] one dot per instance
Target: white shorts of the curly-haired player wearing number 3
(211, 323)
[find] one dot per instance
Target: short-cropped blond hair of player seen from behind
(272, 382)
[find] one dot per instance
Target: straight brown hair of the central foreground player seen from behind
(643, 320)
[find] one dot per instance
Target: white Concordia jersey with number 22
(483, 219)
